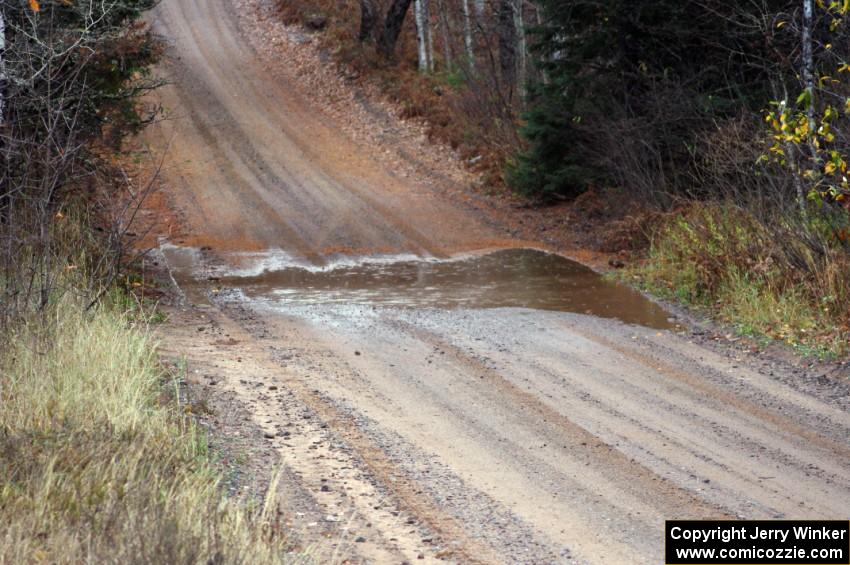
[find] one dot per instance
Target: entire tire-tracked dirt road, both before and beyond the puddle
(498, 434)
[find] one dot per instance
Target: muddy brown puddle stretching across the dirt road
(522, 278)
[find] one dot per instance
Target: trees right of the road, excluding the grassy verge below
(615, 92)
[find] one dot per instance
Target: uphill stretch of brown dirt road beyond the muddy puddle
(255, 166)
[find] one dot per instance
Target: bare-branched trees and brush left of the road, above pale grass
(72, 73)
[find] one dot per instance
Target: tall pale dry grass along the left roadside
(98, 463)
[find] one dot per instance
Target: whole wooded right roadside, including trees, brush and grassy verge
(718, 129)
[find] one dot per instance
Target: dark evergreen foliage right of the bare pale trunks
(628, 88)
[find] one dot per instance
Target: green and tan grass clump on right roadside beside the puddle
(722, 260)
